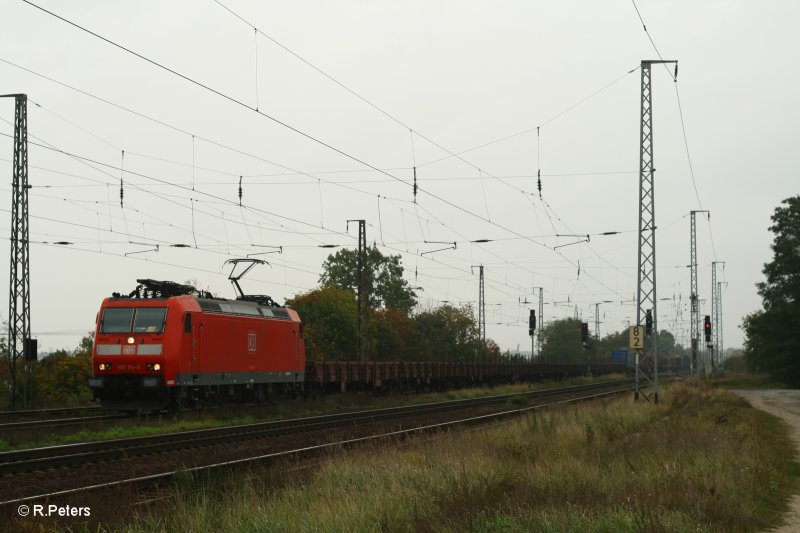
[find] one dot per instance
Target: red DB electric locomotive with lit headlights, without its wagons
(166, 343)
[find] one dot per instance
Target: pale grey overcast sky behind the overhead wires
(350, 97)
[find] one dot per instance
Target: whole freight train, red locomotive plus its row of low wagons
(167, 344)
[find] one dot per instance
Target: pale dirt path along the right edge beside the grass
(784, 404)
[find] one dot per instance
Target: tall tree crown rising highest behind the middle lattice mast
(384, 277)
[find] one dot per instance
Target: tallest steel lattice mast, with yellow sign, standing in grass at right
(646, 271)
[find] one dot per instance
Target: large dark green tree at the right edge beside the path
(772, 341)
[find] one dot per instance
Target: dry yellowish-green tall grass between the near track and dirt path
(703, 460)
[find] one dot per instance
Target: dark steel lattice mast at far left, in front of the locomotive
(20, 344)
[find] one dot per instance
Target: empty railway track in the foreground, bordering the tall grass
(322, 432)
